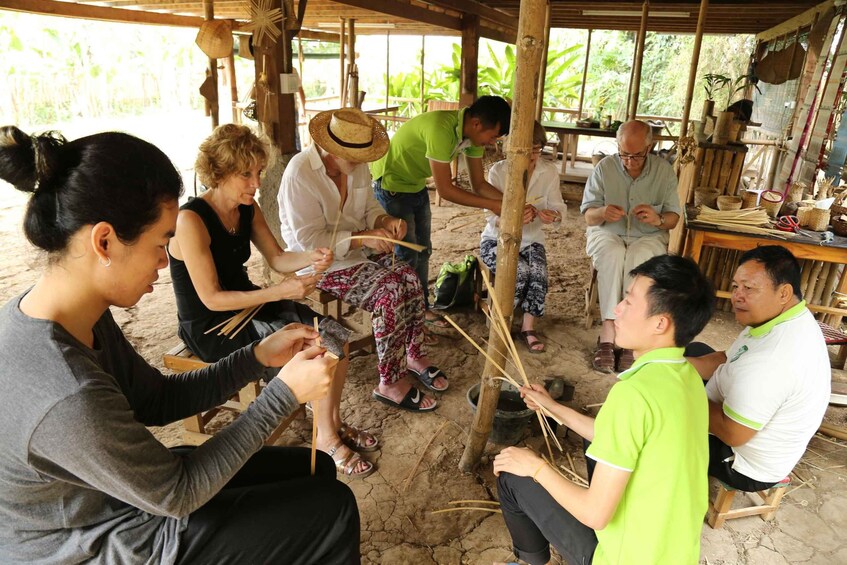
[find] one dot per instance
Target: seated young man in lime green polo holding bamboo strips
(648, 490)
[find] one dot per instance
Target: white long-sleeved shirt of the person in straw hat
(309, 205)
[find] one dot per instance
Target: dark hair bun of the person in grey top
(27, 162)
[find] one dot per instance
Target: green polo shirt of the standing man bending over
(433, 135)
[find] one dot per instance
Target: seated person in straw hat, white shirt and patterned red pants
(325, 199)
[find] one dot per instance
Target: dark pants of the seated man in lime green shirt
(535, 520)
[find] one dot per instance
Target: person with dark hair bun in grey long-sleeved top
(81, 476)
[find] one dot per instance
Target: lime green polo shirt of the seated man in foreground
(655, 425)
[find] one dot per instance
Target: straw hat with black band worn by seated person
(350, 134)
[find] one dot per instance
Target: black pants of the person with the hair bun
(272, 511)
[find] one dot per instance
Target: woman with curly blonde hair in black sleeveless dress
(208, 266)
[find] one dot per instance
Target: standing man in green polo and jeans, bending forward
(423, 147)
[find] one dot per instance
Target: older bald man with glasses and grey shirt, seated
(630, 203)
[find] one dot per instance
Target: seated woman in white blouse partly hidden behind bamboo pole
(545, 196)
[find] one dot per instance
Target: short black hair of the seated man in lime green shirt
(681, 291)
